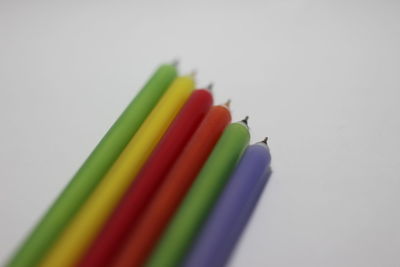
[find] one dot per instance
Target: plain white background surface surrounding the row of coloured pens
(320, 78)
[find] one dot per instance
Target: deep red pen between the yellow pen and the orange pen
(150, 177)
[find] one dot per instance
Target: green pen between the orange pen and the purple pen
(201, 197)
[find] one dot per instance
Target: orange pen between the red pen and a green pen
(141, 241)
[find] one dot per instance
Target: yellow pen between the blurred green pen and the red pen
(90, 218)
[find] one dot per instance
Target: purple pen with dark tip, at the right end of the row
(233, 209)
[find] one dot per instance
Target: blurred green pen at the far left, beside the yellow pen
(93, 169)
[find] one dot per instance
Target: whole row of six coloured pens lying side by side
(172, 183)
